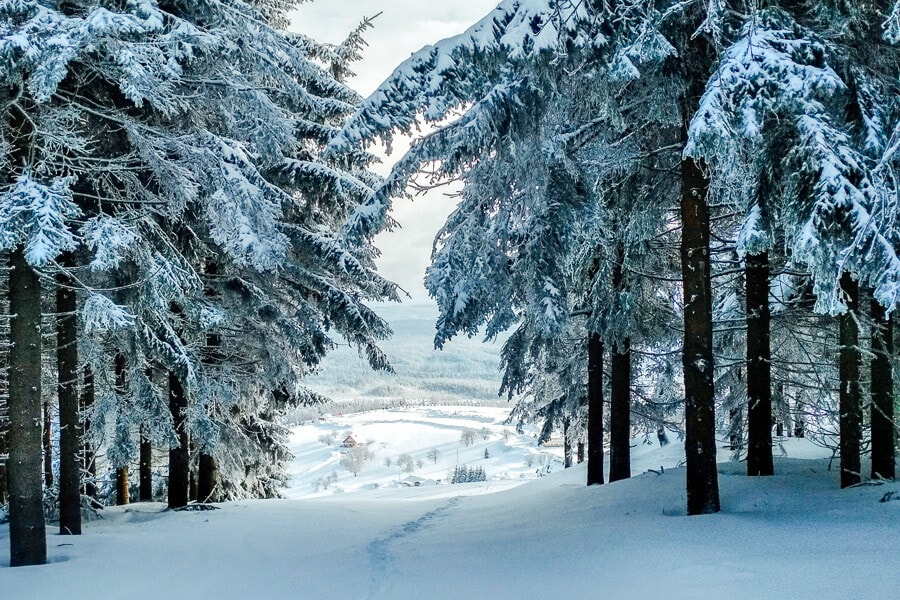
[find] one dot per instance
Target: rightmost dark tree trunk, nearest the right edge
(883, 434)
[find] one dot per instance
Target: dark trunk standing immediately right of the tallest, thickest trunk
(759, 368)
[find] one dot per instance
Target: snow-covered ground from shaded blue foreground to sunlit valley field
(795, 535)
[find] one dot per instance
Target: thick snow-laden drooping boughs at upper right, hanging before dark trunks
(773, 82)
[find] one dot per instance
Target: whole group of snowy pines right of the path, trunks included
(696, 199)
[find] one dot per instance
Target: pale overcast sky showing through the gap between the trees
(404, 27)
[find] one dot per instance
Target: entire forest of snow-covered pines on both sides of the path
(682, 213)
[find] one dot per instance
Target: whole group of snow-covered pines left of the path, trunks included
(176, 253)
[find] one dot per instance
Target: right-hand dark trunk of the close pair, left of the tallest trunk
(620, 413)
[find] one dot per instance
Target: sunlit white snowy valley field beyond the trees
(512, 459)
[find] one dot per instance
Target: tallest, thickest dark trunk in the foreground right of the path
(697, 358)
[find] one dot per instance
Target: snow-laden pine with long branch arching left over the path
(525, 152)
